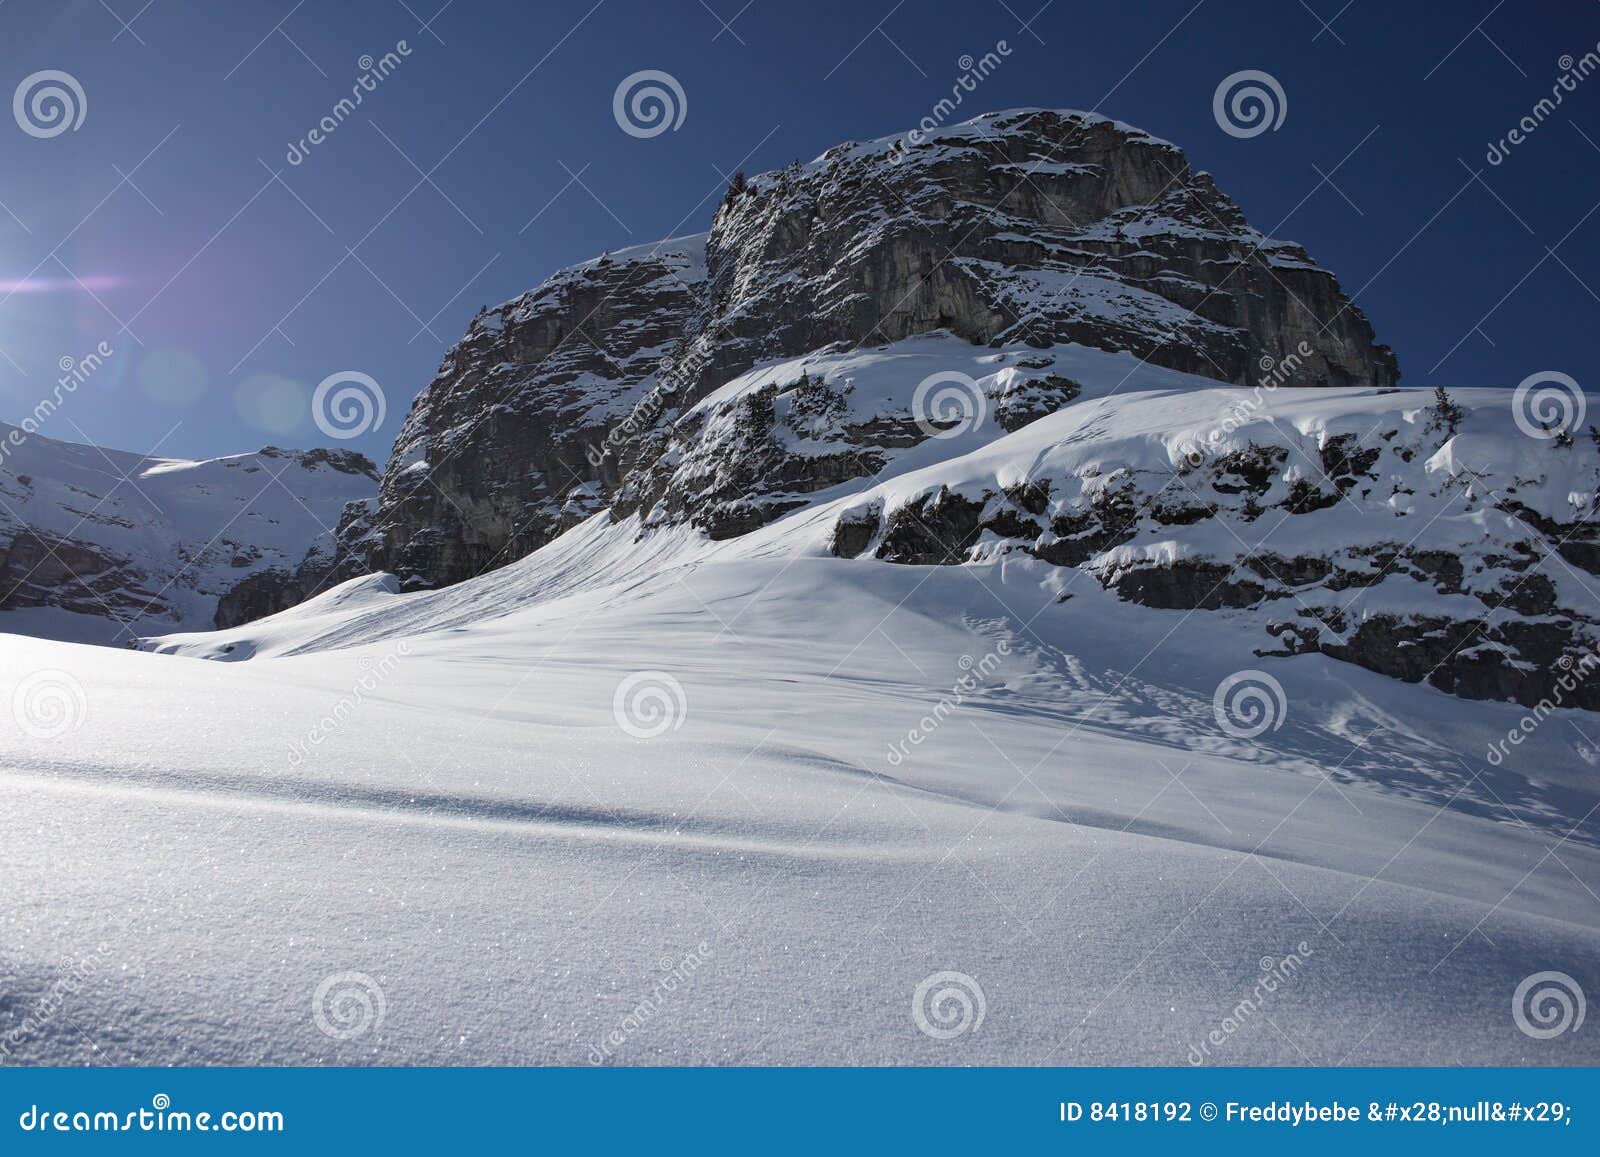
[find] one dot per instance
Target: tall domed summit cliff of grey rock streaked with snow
(1036, 228)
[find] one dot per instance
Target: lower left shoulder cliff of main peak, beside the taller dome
(505, 449)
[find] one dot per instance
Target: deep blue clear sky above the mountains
(238, 305)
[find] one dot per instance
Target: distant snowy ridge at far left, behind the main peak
(102, 545)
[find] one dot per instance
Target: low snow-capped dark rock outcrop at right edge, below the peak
(1417, 551)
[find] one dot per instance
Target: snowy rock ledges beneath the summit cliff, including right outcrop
(1354, 522)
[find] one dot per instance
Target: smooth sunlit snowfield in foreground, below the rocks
(662, 801)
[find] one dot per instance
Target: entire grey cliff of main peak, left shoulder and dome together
(1036, 228)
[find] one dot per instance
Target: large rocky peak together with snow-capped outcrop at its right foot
(887, 313)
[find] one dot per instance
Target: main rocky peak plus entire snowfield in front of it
(983, 604)
